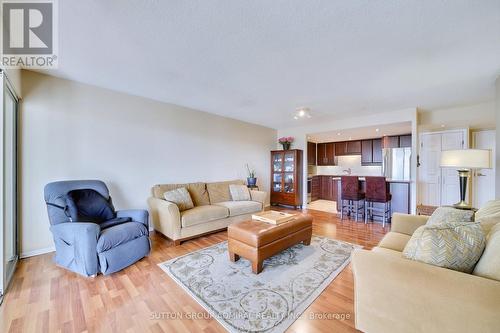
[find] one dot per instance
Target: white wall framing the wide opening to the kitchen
(377, 119)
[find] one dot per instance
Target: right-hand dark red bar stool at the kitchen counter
(378, 191)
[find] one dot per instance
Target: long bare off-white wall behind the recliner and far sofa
(76, 131)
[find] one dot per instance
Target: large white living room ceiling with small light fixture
(260, 60)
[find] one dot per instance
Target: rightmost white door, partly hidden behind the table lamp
(483, 179)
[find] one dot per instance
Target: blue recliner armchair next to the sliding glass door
(88, 248)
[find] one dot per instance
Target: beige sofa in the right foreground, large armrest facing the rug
(394, 294)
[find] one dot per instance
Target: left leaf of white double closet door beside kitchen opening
(430, 172)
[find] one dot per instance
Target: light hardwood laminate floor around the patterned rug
(46, 298)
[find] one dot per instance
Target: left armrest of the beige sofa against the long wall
(166, 217)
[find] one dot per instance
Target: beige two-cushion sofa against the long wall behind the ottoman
(213, 209)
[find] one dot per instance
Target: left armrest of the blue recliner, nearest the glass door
(76, 246)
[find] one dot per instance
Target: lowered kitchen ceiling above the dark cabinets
(360, 133)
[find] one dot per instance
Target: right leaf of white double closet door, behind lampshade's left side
(450, 187)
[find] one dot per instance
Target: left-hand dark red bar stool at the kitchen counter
(351, 196)
